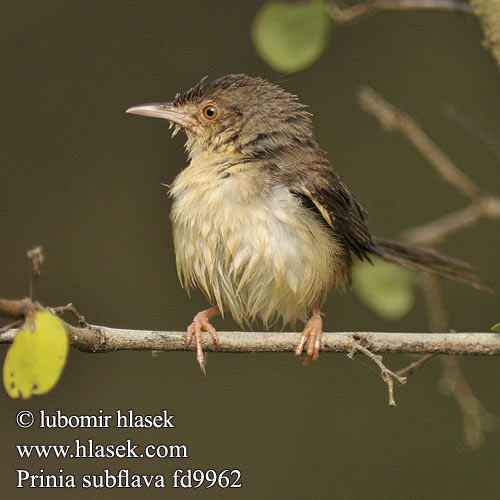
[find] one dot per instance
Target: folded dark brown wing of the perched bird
(315, 179)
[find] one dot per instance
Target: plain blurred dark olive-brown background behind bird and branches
(83, 179)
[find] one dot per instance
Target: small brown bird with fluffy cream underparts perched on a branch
(262, 223)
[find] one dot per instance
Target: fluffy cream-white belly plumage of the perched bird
(265, 256)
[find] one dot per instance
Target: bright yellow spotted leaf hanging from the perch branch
(37, 356)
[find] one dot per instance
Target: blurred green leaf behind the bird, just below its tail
(385, 288)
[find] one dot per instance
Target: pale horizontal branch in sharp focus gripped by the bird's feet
(104, 339)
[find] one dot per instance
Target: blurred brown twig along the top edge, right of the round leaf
(373, 6)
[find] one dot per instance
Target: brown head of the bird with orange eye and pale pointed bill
(235, 114)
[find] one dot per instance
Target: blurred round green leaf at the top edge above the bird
(291, 36)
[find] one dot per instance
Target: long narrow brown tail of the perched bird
(426, 259)
